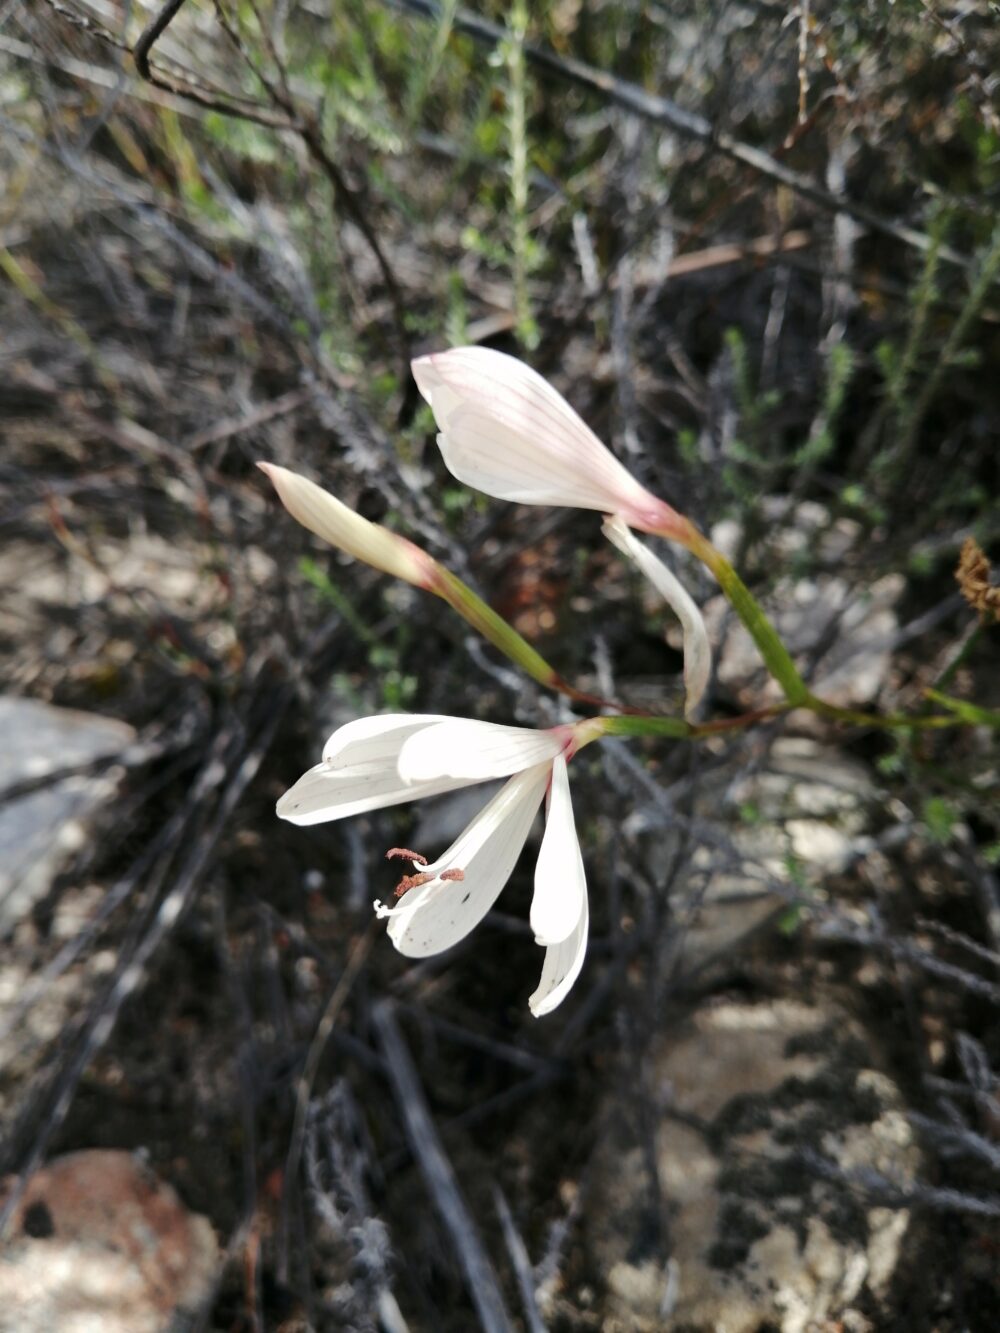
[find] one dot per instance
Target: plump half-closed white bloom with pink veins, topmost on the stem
(507, 433)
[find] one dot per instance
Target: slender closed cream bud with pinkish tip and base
(338, 525)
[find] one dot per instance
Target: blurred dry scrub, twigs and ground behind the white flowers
(758, 249)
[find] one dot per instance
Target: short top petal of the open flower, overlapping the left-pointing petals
(477, 751)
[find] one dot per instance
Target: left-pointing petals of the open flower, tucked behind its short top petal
(361, 771)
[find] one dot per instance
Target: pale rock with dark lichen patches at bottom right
(755, 1240)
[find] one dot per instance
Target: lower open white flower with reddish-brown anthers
(379, 762)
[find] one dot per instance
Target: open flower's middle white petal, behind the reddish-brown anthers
(438, 915)
